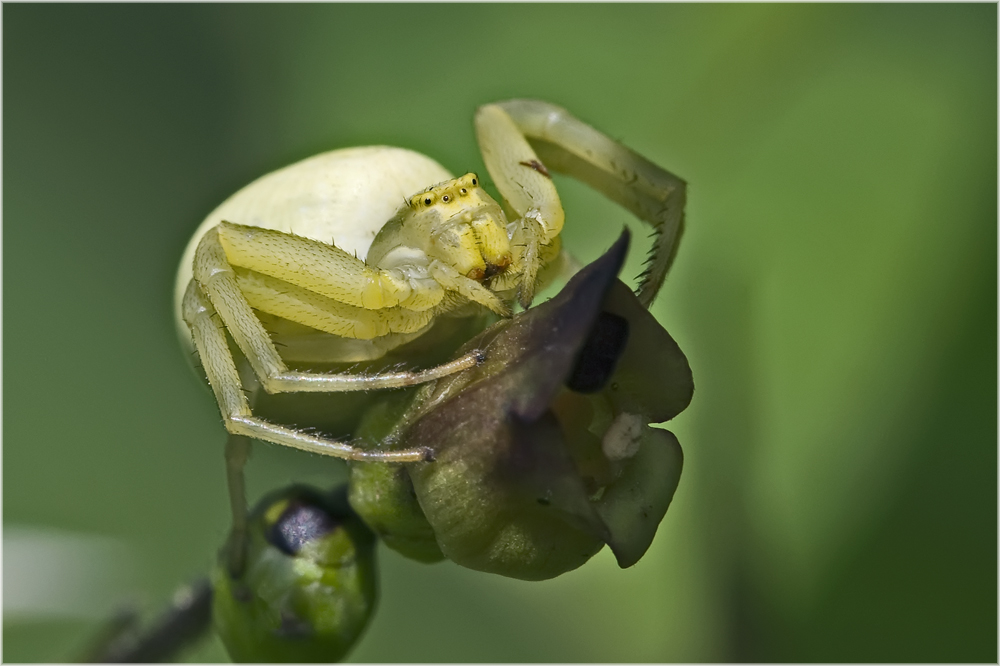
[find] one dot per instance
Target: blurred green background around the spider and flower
(836, 293)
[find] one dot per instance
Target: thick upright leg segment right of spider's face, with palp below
(527, 188)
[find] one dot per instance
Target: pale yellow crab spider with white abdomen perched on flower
(350, 254)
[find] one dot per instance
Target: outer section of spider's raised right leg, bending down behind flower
(651, 193)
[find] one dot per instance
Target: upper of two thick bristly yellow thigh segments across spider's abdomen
(323, 268)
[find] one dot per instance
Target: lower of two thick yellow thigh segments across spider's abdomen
(283, 299)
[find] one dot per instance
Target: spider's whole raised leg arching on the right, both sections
(560, 142)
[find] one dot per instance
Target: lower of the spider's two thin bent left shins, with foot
(210, 341)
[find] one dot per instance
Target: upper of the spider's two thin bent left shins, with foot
(217, 279)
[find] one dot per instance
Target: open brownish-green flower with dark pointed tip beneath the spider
(544, 453)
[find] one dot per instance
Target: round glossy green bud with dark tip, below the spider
(309, 584)
